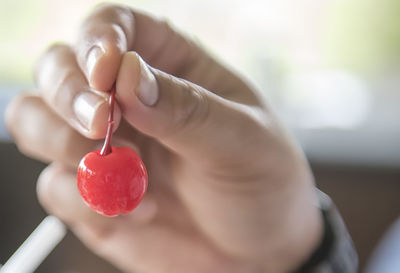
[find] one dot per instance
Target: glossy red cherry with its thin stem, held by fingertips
(112, 180)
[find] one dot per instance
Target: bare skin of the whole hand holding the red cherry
(229, 191)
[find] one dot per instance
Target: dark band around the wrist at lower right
(336, 253)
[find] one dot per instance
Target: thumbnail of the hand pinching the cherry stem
(147, 90)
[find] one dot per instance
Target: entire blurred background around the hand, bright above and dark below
(331, 69)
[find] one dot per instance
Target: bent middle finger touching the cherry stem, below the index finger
(65, 90)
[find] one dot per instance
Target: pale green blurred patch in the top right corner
(363, 35)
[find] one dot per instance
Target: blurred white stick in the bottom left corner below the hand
(36, 247)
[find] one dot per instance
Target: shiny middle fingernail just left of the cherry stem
(85, 107)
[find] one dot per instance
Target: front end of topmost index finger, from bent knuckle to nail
(105, 35)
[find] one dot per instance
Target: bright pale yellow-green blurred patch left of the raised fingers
(27, 27)
